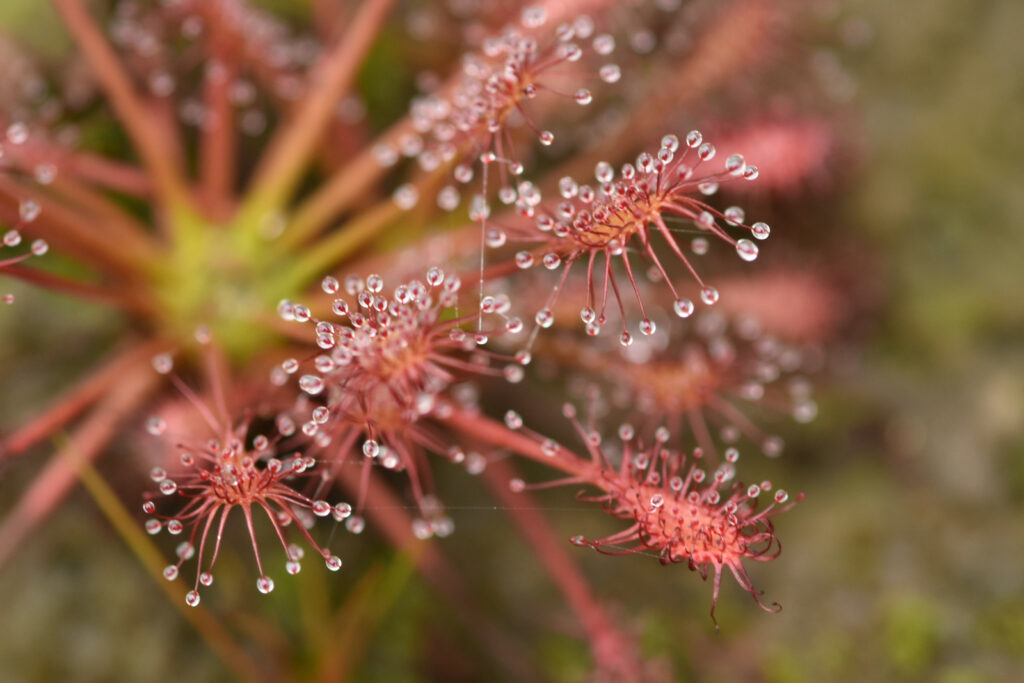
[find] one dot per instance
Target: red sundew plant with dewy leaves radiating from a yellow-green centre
(371, 269)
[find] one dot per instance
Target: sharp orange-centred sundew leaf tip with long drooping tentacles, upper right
(621, 215)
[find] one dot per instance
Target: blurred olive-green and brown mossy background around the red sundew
(905, 564)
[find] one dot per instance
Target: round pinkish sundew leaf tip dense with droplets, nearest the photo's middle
(387, 364)
